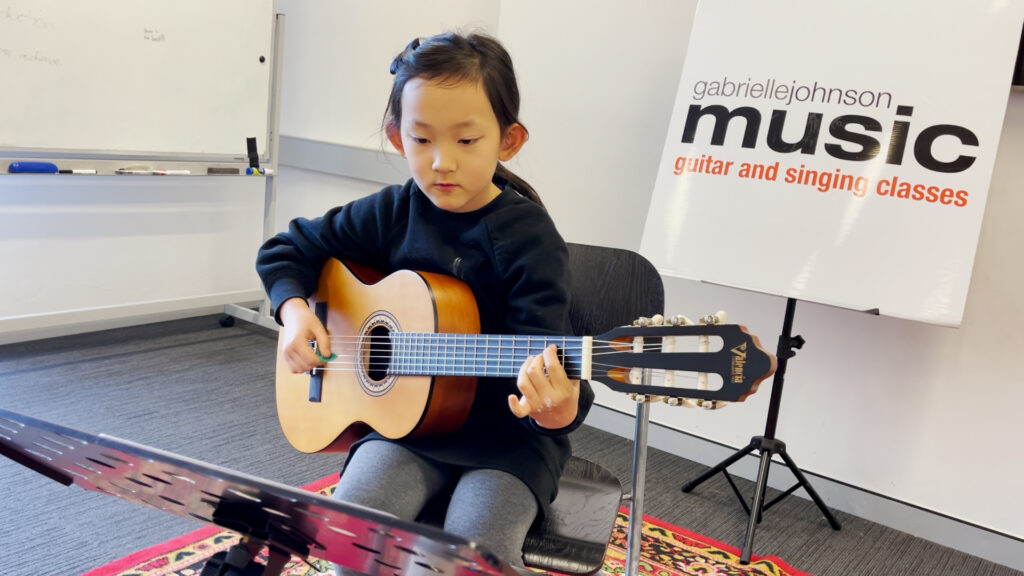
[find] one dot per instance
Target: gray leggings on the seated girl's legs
(492, 508)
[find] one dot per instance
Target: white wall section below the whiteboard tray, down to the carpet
(81, 251)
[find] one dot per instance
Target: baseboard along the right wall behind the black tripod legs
(945, 530)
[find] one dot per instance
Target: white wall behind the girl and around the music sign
(917, 414)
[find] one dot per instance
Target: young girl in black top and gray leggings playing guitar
(453, 115)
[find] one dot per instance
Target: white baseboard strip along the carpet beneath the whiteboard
(34, 327)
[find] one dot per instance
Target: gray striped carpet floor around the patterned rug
(206, 392)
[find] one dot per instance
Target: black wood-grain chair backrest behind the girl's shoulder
(612, 287)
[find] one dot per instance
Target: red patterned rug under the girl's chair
(665, 551)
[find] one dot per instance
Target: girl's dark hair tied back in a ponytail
(454, 58)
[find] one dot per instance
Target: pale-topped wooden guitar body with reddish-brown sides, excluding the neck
(360, 307)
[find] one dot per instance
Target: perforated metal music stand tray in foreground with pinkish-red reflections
(288, 521)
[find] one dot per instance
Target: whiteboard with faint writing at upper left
(160, 78)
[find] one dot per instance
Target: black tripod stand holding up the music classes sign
(769, 445)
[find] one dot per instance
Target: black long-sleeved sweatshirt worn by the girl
(514, 260)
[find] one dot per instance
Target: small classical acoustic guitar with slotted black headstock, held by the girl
(407, 354)
